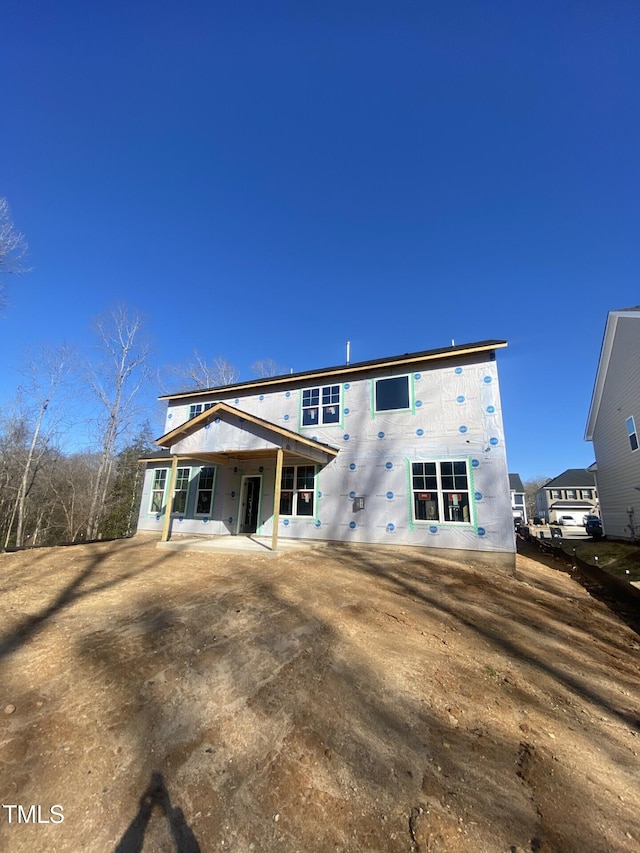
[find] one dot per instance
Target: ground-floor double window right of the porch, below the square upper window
(441, 491)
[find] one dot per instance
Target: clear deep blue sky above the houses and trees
(271, 180)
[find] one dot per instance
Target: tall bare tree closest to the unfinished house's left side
(115, 383)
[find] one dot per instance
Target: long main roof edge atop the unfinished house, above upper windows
(344, 370)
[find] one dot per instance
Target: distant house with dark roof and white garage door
(571, 495)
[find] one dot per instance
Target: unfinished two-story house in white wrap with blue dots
(407, 450)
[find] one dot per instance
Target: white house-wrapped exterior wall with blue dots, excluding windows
(454, 415)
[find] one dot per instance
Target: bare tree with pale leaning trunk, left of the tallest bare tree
(45, 375)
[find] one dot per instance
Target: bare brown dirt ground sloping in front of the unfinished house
(329, 700)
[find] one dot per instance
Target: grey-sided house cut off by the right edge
(613, 423)
